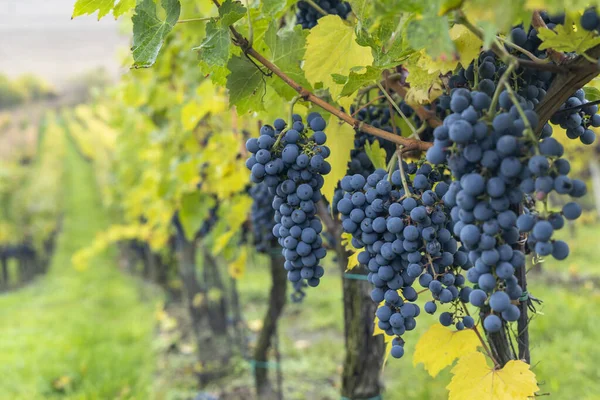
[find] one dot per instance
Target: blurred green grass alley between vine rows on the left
(91, 329)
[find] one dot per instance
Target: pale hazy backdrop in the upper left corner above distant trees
(39, 36)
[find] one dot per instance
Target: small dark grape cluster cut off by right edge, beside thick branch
(576, 118)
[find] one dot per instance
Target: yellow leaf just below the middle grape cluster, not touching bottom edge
(439, 347)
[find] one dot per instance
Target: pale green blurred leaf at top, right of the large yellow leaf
(431, 34)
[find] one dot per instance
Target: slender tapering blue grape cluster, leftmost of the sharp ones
(292, 163)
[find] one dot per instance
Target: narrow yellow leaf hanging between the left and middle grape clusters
(340, 139)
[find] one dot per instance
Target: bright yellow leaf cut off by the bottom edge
(474, 379)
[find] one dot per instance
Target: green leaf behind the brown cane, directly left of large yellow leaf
(287, 50)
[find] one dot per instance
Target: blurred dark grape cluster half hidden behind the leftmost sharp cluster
(261, 216)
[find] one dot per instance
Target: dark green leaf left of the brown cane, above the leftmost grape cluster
(246, 85)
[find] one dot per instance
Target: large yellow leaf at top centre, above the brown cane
(326, 56)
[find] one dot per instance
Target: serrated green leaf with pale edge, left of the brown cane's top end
(149, 31)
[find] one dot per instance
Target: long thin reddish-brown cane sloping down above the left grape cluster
(242, 42)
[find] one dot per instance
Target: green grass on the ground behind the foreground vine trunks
(563, 339)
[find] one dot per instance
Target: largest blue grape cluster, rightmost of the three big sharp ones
(495, 167)
